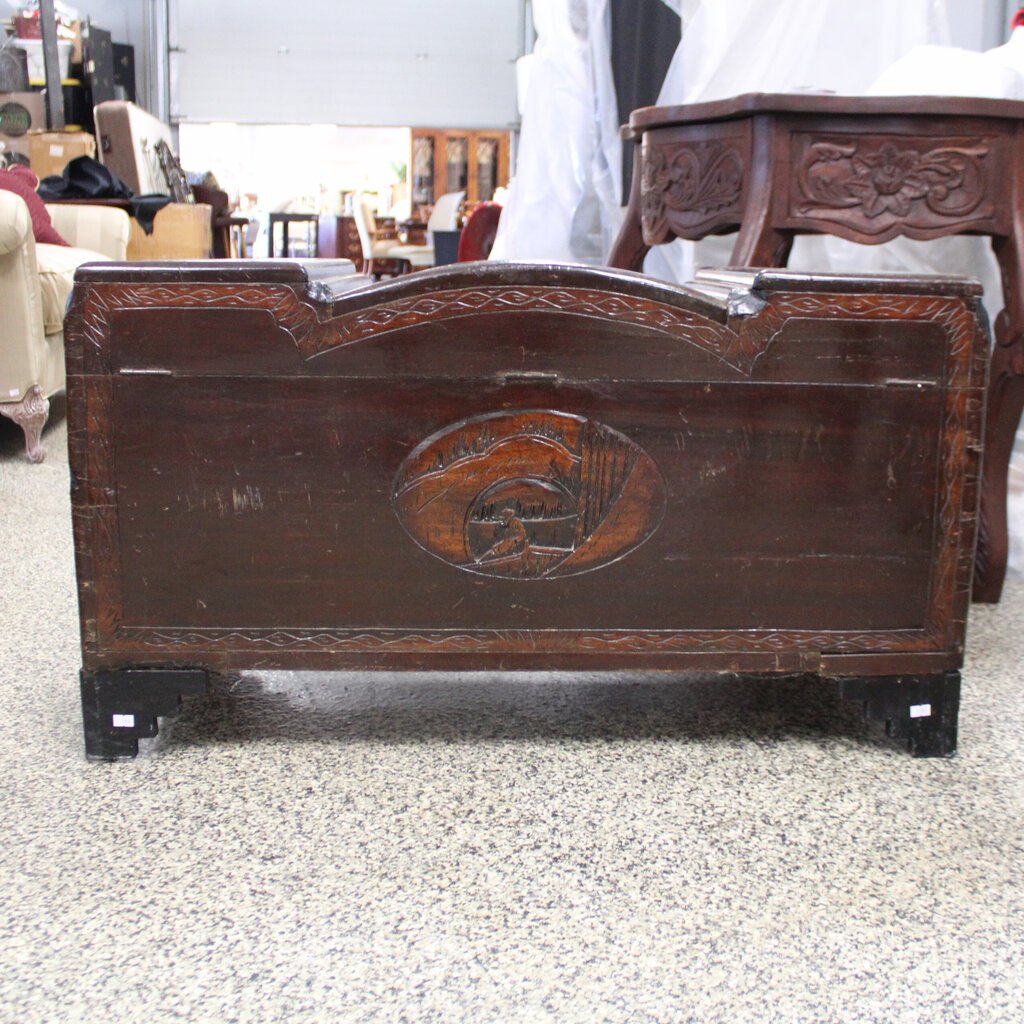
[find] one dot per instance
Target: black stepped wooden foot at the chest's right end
(921, 710)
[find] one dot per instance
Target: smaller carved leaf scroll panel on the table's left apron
(687, 189)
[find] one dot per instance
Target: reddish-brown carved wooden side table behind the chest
(866, 169)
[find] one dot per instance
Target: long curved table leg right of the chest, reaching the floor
(1006, 402)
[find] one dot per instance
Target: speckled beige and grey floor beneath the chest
(314, 848)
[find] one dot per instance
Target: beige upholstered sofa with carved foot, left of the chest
(35, 285)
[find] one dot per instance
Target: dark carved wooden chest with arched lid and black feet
(495, 466)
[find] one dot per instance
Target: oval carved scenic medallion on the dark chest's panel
(529, 495)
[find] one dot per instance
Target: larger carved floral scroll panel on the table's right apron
(878, 185)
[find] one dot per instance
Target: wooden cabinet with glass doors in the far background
(452, 160)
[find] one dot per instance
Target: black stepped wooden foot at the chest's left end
(122, 707)
